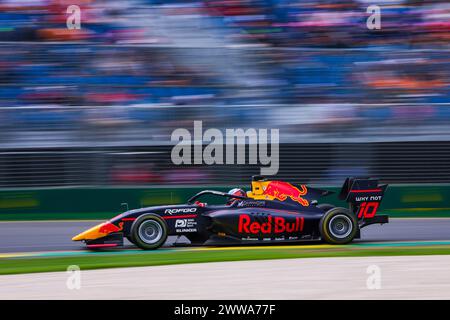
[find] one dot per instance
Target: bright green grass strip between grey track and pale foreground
(170, 257)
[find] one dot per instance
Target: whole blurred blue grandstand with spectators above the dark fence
(249, 53)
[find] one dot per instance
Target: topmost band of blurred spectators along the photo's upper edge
(289, 23)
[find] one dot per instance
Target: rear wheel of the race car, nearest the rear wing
(338, 226)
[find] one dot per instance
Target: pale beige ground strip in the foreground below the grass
(405, 277)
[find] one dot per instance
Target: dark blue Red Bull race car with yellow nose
(273, 211)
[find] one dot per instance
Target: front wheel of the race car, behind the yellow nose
(149, 232)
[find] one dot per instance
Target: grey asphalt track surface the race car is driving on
(39, 236)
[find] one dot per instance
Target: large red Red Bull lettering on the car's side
(273, 225)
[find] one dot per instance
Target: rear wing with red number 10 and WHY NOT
(364, 195)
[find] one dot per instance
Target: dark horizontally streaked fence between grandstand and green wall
(317, 163)
